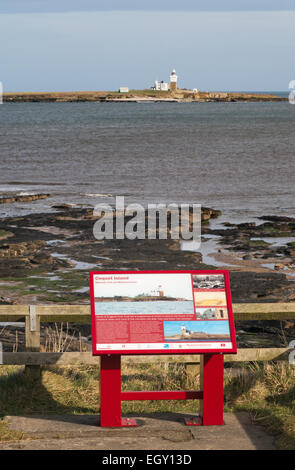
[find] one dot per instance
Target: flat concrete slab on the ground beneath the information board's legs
(159, 431)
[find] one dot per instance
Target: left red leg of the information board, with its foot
(110, 393)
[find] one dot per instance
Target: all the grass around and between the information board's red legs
(267, 392)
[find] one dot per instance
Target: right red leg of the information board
(212, 366)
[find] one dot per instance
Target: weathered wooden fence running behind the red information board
(34, 315)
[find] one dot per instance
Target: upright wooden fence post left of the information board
(32, 331)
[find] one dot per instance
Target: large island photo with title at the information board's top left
(137, 294)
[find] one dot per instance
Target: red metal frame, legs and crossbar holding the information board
(212, 368)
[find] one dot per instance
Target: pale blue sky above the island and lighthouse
(215, 45)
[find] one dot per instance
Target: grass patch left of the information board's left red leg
(59, 390)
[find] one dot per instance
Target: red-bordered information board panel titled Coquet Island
(161, 312)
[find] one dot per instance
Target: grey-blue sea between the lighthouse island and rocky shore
(237, 157)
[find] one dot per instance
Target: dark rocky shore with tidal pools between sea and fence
(45, 258)
